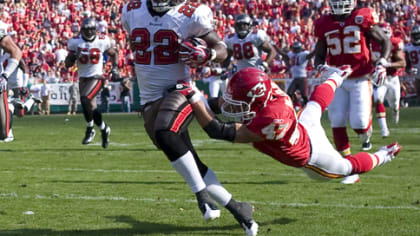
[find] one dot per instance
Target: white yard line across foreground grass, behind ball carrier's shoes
(279, 204)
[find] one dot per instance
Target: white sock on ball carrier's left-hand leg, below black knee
(188, 169)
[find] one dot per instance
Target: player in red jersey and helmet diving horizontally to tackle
(268, 120)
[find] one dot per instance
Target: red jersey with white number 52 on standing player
(346, 40)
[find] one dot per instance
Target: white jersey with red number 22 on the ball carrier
(155, 42)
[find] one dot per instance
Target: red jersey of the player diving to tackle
(284, 138)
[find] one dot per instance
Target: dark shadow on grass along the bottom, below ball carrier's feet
(146, 228)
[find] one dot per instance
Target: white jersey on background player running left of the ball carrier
(90, 60)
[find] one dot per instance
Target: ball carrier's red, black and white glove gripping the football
(193, 52)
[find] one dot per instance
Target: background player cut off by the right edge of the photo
(412, 54)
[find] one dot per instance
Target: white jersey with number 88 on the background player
(247, 51)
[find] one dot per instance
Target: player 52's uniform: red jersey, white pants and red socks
(347, 44)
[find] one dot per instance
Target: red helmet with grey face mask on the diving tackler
(247, 92)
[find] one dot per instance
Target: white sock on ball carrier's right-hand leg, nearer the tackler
(215, 188)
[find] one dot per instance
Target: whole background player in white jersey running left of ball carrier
(87, 49)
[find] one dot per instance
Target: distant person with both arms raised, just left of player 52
(297, 60)
